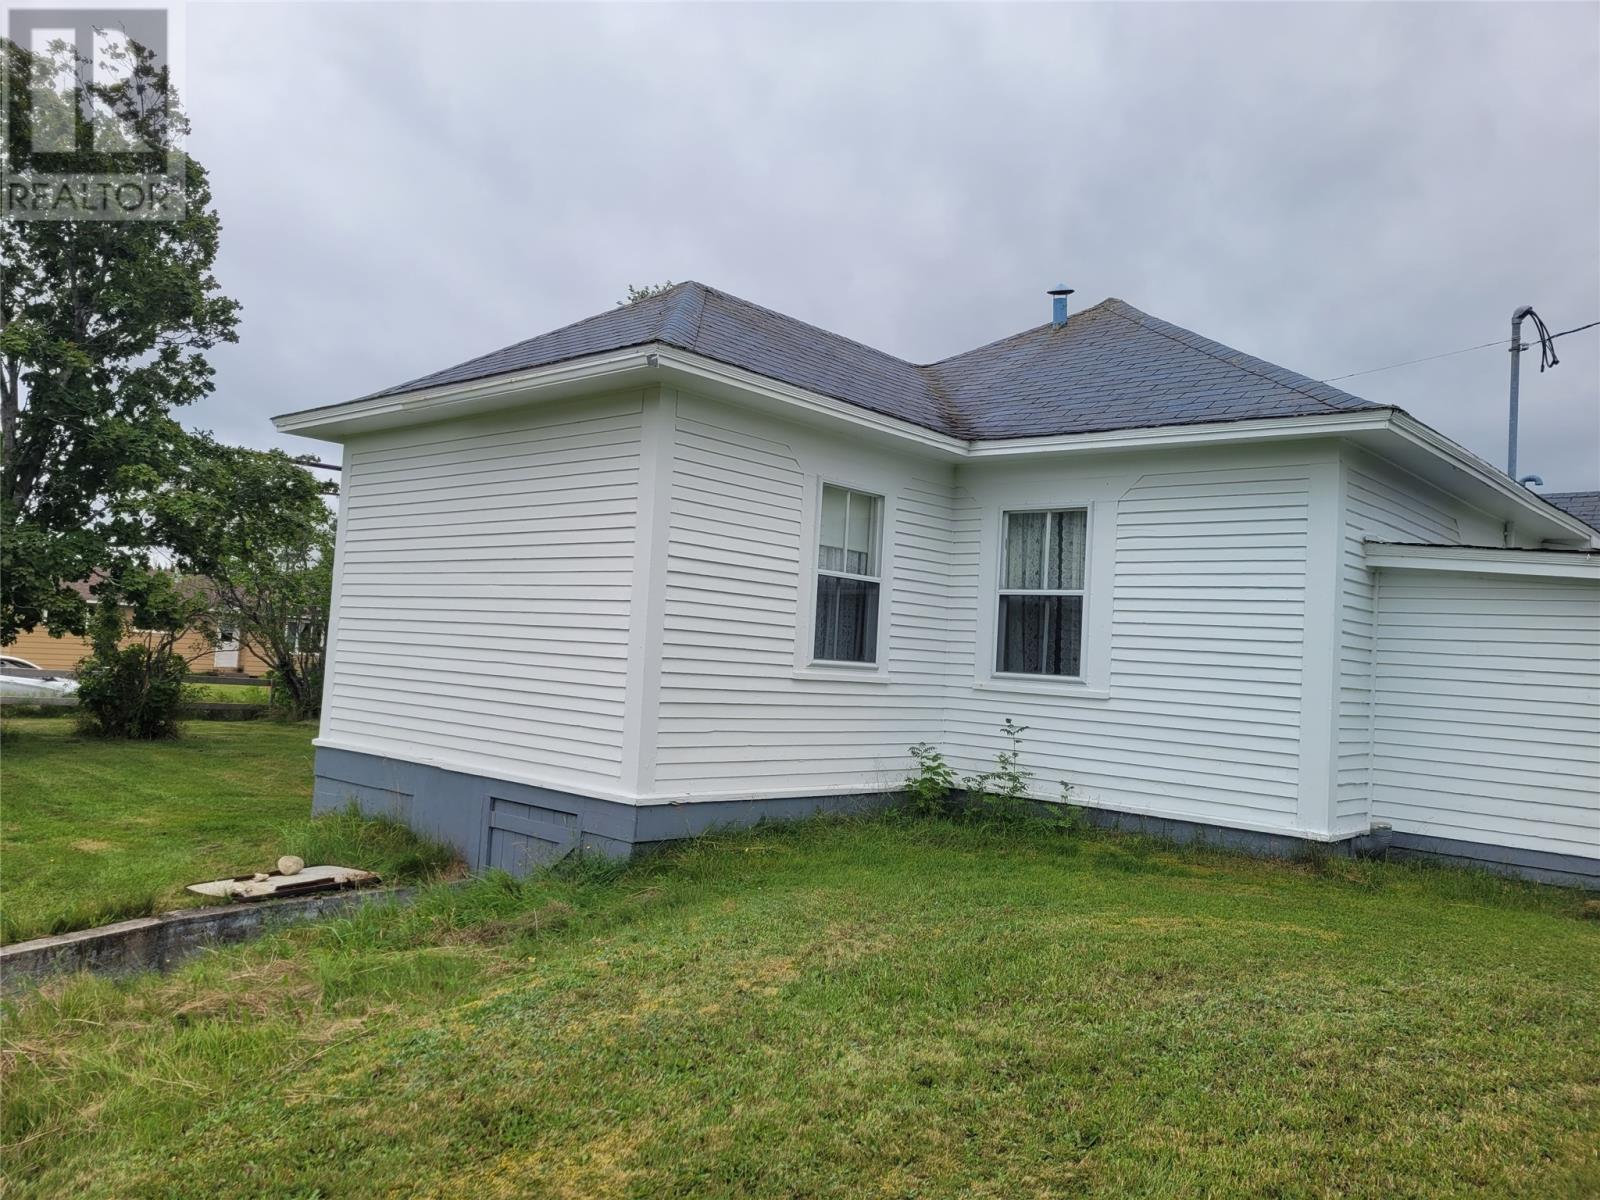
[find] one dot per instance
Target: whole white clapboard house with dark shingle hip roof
(694, 562)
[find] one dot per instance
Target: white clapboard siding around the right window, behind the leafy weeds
(1209, 610)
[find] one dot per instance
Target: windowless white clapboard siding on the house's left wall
(484, 594)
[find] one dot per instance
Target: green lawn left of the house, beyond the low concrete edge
(98, 831)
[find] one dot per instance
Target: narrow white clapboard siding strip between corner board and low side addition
(1383, 506)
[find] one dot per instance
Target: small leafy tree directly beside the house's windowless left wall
(258, 526)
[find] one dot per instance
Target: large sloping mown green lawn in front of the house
(879, 1009)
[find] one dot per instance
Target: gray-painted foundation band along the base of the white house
(518, 828)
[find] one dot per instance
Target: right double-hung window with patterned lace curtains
(1041, 620)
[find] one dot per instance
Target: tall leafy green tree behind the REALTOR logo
(103, 335)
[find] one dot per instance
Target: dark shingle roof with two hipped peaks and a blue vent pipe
(1110, 367)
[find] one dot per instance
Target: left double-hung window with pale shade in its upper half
(847, 577)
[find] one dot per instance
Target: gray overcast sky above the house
(1330, 188)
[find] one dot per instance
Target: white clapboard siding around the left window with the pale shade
(734, 714)
